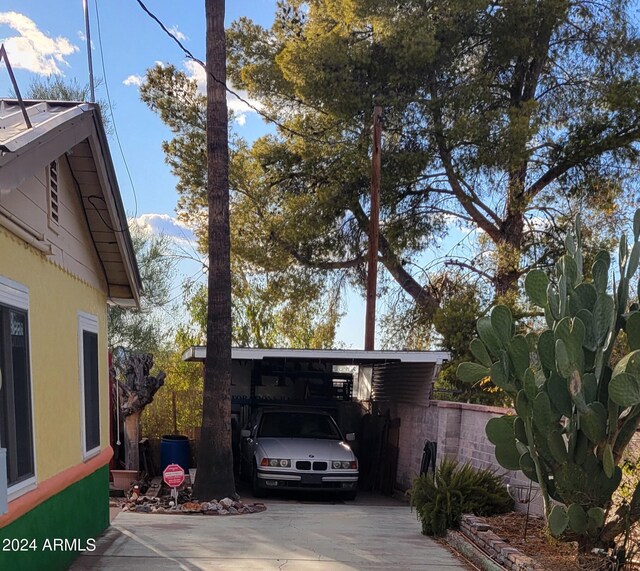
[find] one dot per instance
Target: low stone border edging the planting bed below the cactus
(478, 531)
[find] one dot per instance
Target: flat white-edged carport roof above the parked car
(335, 356)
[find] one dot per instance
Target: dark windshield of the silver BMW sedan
(298, 425)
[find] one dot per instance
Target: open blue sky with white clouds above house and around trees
(41, 41)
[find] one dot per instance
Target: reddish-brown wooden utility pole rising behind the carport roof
(374, 231)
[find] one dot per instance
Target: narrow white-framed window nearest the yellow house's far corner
(89, 383)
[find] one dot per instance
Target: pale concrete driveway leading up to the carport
(289, 535)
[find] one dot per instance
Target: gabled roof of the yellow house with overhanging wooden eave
(74, 130)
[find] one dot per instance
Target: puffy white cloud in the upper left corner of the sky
(32, 49)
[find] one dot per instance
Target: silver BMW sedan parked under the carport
(294, 449)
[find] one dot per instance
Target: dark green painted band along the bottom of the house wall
(80, 512)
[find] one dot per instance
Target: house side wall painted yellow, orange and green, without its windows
(60, 508)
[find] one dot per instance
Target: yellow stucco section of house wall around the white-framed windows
(55, 297)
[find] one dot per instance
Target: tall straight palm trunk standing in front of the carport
(215, 462)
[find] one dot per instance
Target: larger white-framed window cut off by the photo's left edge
(16, 395)
